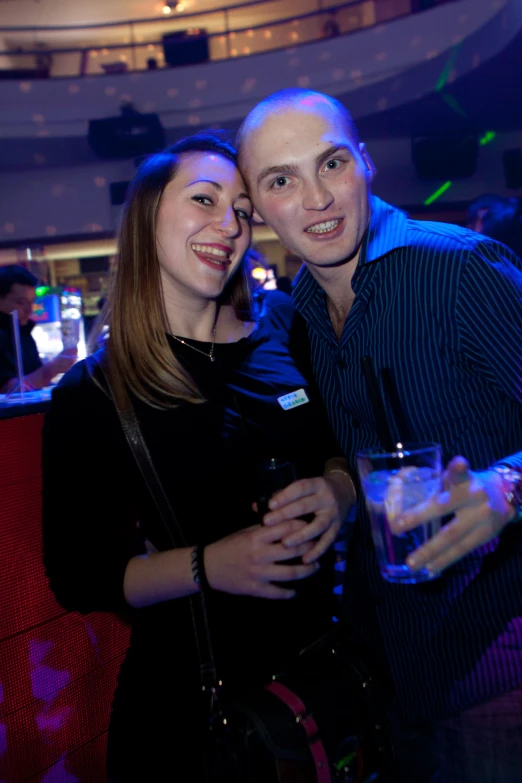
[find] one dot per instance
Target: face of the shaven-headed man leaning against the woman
(309, 181)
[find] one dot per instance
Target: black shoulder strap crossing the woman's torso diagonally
(141, 454)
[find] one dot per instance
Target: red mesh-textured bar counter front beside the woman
(57, 669)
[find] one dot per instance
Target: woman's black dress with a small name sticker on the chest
(204, 455)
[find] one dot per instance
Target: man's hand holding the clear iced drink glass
(480, 510)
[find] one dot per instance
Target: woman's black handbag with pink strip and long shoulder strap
(317, 721)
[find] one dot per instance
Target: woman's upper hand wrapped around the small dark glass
(327, 497)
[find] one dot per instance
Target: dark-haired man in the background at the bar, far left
(18, 292)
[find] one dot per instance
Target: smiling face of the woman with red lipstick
(203, 227)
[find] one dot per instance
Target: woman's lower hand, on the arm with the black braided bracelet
(247, 562)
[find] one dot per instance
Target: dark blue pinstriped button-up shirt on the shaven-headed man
(441, 307)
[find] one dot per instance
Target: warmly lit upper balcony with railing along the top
(237, 30)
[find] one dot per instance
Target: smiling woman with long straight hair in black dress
(206, 382)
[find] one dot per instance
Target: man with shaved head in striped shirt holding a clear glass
(438, 308)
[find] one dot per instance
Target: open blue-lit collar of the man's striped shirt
(387, 231)
